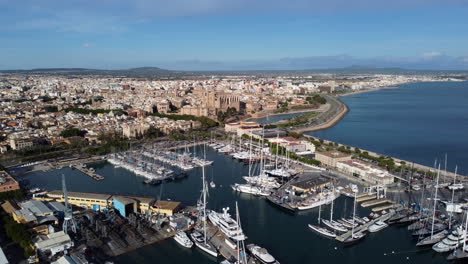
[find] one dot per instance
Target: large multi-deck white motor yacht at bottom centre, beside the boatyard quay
(226, 224)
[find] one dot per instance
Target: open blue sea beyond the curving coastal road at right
(418, 122)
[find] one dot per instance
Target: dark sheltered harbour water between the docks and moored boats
(285, 235)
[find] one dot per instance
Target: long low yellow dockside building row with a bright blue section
(124, 204)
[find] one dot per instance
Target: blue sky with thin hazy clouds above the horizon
(234, 34)
